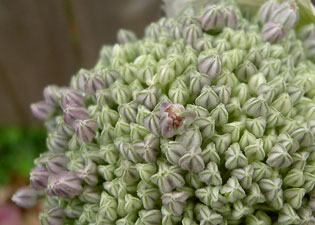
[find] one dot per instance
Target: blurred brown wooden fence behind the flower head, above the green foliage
(46, 41)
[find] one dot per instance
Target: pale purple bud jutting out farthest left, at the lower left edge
(25, 197)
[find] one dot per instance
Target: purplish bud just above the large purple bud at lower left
(56, 163)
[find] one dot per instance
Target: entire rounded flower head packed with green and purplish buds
(209, 119)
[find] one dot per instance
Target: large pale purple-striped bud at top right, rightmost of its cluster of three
(286, 14)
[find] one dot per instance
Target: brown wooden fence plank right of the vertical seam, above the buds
(98, 22)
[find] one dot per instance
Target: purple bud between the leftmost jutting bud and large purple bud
(39, 178)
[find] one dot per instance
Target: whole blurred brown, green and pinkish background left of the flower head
(41, 43)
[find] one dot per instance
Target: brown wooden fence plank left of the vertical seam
(34, 52)
